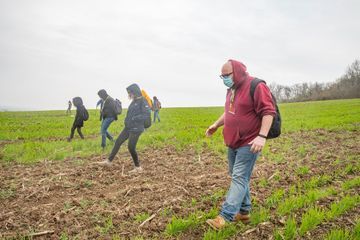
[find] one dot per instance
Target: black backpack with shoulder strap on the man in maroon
(275, 129)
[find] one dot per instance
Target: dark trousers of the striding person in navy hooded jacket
(133, 139)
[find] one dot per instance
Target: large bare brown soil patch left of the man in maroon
(77, 196)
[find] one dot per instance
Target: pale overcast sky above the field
(51, 51)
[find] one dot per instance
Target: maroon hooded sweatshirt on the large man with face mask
(243, 116)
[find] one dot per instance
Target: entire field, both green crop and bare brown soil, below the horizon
(305, 186)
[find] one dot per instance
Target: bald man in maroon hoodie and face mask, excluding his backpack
(246, 125)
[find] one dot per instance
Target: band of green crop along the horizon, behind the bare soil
(34, 136)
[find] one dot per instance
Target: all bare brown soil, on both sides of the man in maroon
(79, 196)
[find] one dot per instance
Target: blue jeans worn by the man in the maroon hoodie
(241, 164)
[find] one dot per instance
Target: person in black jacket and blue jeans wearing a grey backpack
(107, 116)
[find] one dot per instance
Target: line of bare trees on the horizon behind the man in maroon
(345, 87)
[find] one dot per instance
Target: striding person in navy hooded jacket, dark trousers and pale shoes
(137, 112)
